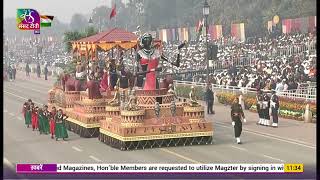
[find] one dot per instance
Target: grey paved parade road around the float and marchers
(260, 144)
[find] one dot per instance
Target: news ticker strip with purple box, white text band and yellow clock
(158, 168)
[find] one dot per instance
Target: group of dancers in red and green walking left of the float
(44, 121)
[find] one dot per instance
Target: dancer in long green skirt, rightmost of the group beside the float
(60, 129)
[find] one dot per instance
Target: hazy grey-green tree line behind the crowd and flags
(155, 14)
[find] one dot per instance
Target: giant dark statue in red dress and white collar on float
(148, 58)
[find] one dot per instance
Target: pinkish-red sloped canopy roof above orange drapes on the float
(115, 34)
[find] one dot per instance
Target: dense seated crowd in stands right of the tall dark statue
(270, 67)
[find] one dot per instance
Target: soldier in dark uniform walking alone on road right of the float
(236, 116)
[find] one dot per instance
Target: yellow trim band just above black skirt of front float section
(153, 137)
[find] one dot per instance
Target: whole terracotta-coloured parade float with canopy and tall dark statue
(134, 108)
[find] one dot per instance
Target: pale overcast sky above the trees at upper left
(62, 9)
